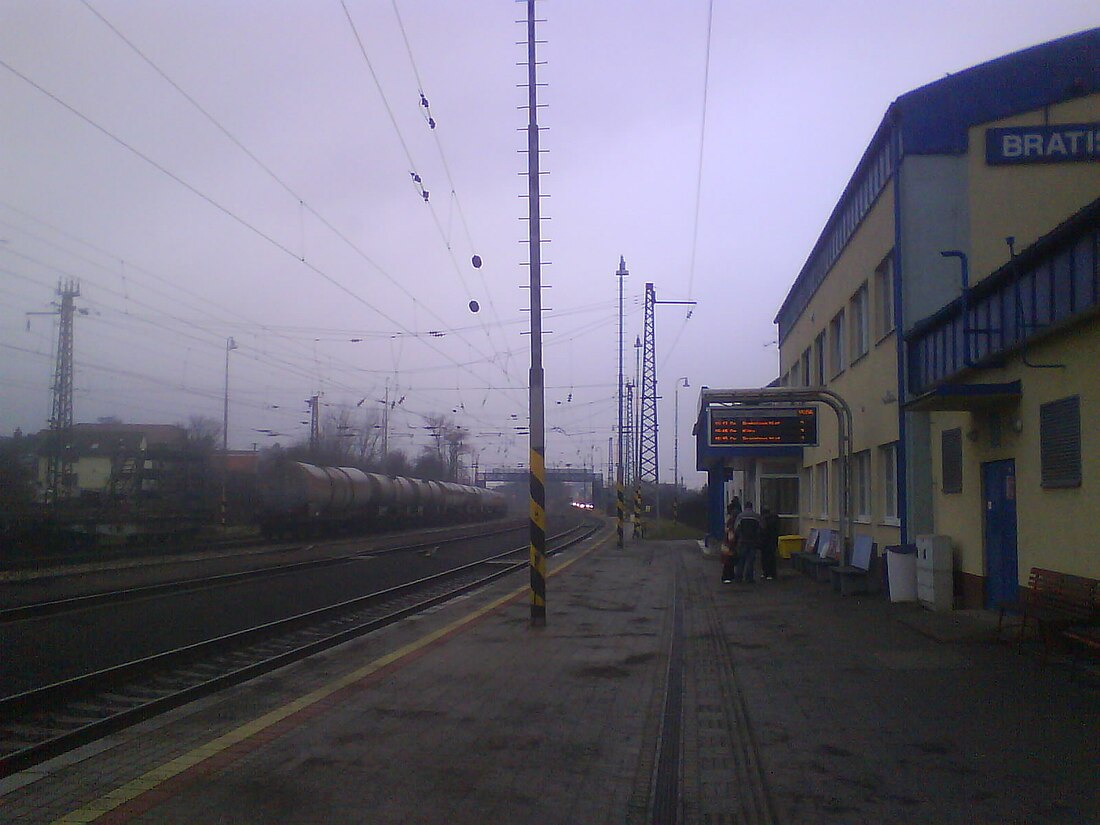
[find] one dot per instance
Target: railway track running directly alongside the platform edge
(49, 721)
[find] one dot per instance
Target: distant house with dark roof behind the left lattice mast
(118, 459)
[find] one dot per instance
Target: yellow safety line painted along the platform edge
(151, 779)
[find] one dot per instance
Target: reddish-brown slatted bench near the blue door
(1054, 602)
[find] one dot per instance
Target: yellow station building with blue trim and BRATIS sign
(952, 301)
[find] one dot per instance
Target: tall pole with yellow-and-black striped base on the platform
(538, 520)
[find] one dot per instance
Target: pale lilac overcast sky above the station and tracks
(215, 169)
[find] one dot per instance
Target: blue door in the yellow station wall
(999, 507)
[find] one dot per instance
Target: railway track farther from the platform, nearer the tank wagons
(37, 610)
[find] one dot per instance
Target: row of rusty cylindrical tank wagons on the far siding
(301, 499)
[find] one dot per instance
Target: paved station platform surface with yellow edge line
(654, 695)
